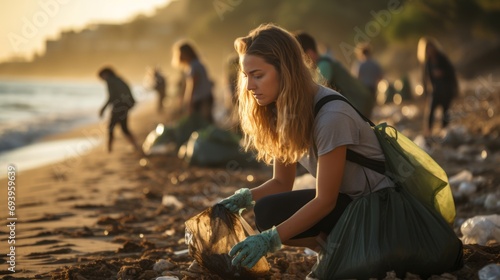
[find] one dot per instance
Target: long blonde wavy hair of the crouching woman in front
(281, 130)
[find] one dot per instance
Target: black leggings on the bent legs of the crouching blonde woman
(274, 209)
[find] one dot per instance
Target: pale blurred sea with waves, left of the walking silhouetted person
(30, 110)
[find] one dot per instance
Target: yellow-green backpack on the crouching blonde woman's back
(412, 168)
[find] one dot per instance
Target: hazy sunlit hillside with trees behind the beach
(391, 27)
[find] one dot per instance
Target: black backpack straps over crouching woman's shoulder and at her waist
(352, 156)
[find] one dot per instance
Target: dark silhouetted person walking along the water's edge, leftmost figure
(121, 100)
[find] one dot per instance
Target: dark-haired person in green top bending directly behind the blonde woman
(336, 76)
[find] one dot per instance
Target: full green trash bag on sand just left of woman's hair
(214, 146)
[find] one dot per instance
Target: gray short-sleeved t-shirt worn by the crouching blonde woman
(338, 124)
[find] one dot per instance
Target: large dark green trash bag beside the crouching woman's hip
(389, 230)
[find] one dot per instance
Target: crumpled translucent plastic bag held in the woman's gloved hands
(210, 236)
